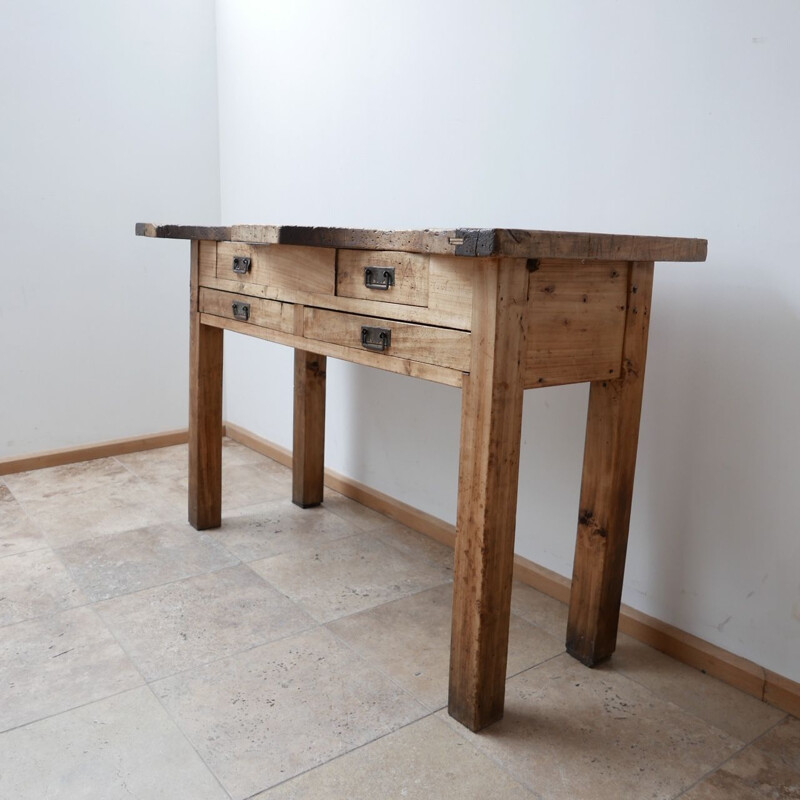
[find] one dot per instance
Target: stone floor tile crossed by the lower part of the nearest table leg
(409, 640)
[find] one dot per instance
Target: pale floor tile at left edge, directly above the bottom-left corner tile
(51, 664)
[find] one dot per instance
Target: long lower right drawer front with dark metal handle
(441, 346)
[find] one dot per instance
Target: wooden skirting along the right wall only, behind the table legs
(734, 670)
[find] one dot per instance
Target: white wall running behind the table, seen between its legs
(676, 118)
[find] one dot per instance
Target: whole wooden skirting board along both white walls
(768, 686)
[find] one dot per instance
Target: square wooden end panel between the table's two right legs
(576, 321)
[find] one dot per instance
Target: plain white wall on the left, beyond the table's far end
(109, 117)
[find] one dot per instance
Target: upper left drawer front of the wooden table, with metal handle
(285, 269)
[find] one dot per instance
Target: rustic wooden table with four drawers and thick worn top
(493, 311)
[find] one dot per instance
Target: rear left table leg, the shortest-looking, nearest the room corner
(309, 428)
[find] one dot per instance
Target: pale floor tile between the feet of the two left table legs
(269, 529)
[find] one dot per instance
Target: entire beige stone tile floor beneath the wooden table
(303, 654)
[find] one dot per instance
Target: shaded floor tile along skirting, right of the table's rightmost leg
(739, 714)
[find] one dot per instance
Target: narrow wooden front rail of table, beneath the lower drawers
(402, 366)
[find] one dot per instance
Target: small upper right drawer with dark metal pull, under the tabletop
(383, 275)
